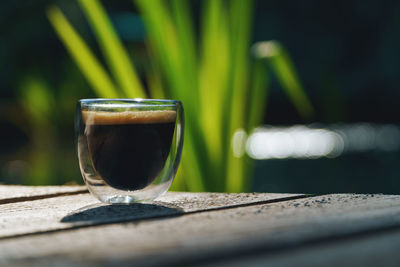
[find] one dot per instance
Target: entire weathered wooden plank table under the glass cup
(65, 225)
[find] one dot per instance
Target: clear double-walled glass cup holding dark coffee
(128, 149)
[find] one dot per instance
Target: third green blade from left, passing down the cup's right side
(164, 38)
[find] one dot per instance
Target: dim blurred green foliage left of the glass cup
(44, 123)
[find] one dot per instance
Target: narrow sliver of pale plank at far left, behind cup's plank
(17, 193)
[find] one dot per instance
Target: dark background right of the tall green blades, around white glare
(347, 56)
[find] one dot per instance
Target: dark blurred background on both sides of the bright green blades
(346, 53)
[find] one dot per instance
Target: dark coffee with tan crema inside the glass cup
(129, 149)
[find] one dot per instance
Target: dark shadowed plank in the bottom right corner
(375, 249)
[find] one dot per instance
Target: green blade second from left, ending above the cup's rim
(116, 56)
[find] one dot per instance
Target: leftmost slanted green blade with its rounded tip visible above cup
(82, 55)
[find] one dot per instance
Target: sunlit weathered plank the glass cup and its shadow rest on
(82, 210)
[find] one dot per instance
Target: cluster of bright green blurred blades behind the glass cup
(210, 72)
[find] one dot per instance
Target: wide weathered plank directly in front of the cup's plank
(216, 235)
